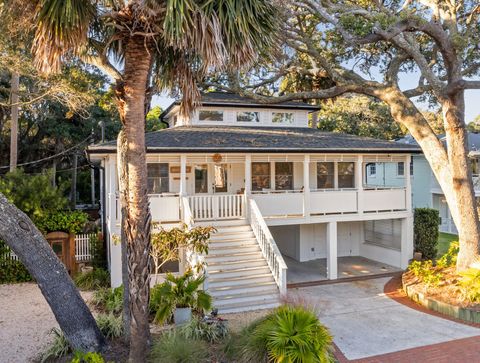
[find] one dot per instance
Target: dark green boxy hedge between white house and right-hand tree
(426, 222)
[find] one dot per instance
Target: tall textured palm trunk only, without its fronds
(137, 222)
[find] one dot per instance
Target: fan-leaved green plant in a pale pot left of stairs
(177, 296)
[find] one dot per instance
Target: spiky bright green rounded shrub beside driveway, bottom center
(288, 334)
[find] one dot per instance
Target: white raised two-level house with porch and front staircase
(291, 203)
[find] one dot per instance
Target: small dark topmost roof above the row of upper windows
(228, 99)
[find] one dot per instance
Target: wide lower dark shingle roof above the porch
(258, 139)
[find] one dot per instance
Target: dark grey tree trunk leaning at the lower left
(71, 312)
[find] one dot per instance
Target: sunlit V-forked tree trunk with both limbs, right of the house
(451, 169)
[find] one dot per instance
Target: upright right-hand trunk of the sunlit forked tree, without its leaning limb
(462, 186)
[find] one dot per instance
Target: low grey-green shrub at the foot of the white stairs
(212, 332)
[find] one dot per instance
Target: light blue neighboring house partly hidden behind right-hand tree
(426, 190)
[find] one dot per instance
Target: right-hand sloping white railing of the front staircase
(268, 246)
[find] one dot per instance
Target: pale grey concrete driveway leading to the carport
(365, 322)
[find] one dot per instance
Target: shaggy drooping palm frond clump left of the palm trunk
(62, 28)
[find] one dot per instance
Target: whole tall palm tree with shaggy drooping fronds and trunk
(159, 44)
